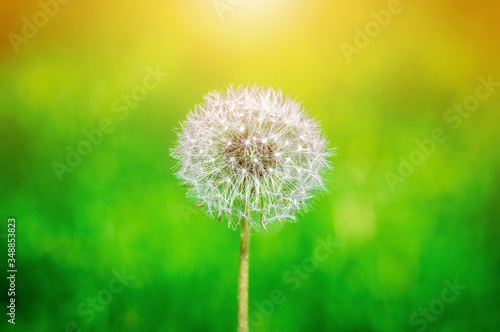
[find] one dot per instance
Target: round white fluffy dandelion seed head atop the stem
(250, 151)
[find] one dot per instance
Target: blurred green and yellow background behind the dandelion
(121, 208)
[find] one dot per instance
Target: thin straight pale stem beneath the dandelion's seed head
(243, 275)
